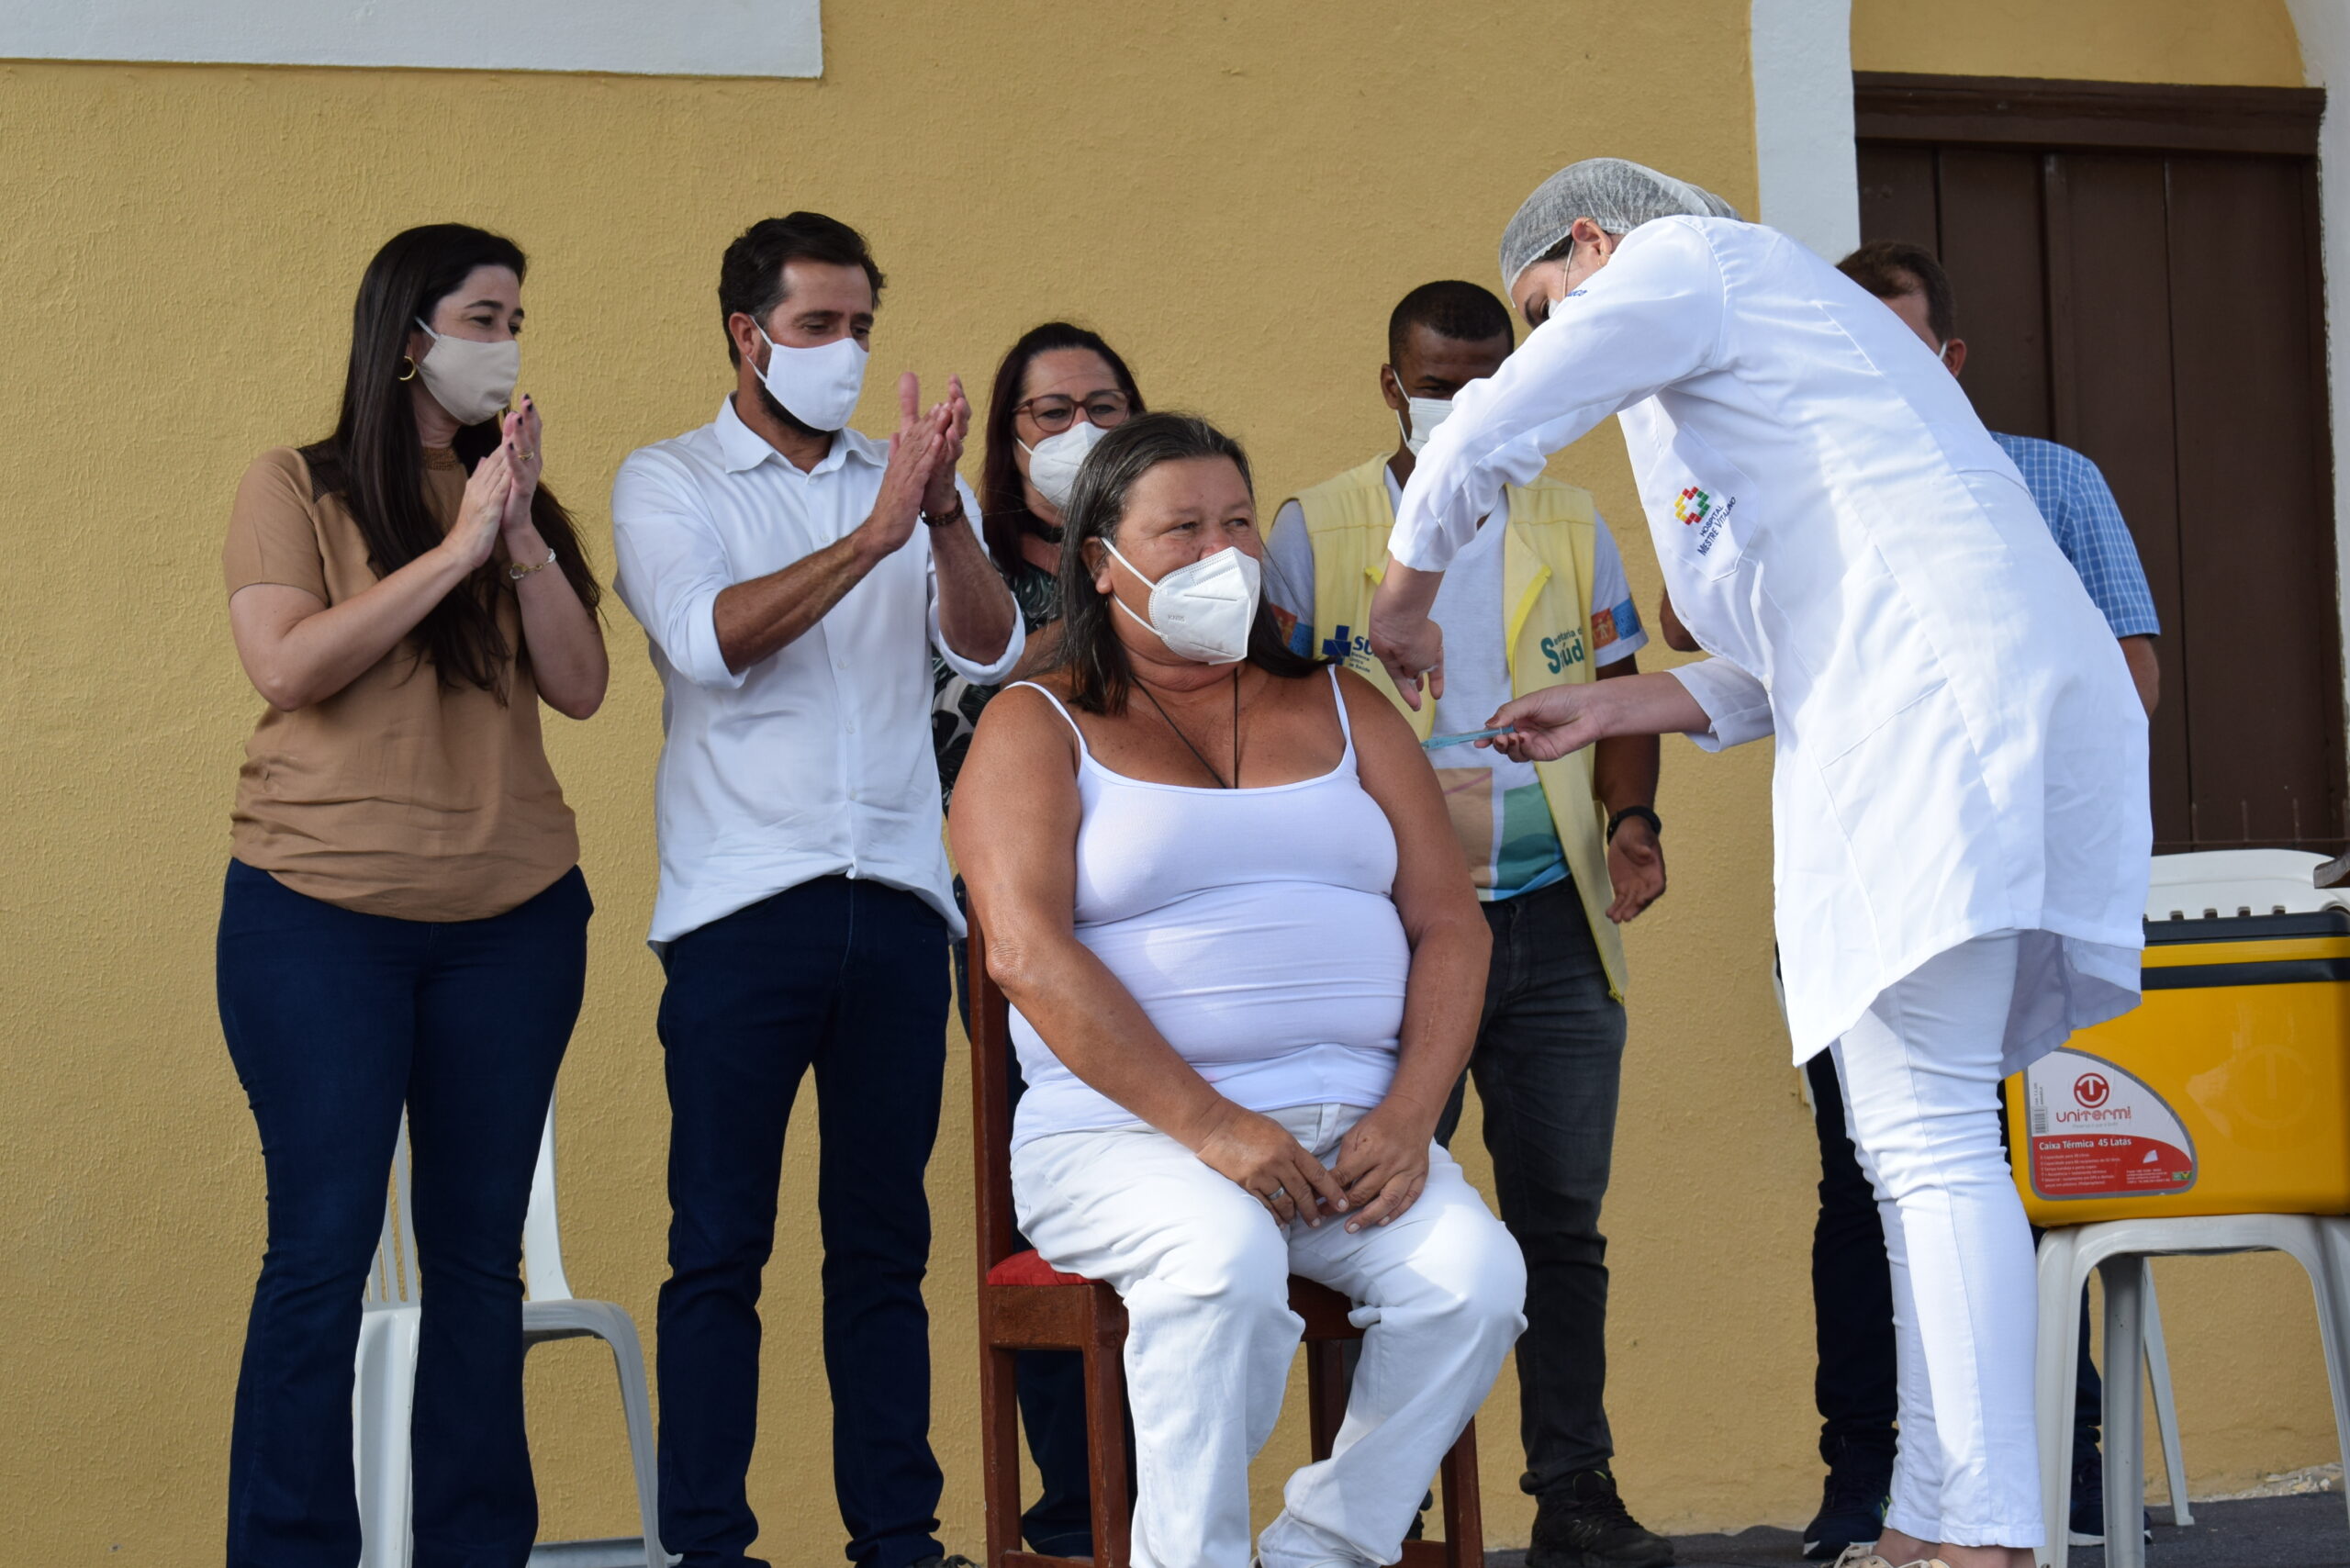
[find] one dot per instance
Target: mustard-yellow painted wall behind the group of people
(1235, 196)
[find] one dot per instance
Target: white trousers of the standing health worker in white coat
(1921, 1080)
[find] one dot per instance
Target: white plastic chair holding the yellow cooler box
(2208, 885)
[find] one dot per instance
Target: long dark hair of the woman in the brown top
(375, 457)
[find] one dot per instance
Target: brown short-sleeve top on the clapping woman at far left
(396, 796)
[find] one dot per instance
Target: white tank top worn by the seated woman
(1256, 927)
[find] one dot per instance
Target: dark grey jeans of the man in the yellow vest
(1547, 1064)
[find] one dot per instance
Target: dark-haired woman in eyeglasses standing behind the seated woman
(1056, 394)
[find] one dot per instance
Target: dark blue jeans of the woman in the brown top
(337, 1021)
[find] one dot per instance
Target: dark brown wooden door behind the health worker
(2137, 276)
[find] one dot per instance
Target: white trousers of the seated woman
(1209, 1336)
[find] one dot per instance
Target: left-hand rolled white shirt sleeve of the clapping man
(671, 568)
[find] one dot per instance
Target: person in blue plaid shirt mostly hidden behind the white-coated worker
(1851, 1285)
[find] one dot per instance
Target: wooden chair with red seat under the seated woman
(1028, 1306)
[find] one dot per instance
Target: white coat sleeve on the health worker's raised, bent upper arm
(1653, 316)
